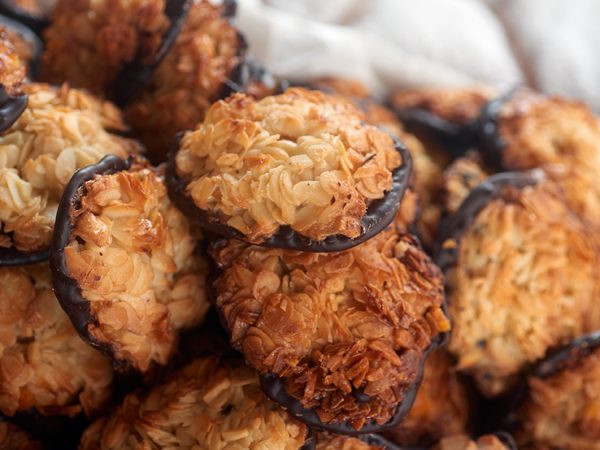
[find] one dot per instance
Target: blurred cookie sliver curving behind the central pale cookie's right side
(427, 172)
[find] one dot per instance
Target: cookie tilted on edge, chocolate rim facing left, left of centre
(124, 261)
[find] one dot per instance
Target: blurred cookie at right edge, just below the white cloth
(528, 130)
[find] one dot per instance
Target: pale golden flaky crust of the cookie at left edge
(60, 131)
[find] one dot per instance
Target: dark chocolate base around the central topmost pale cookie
(379, 215)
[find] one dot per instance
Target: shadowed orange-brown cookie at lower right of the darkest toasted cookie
(442, 406)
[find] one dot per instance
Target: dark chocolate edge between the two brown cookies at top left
(134, 74)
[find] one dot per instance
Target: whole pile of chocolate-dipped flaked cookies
(196, 255)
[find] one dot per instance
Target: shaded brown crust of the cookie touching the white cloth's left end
(189, 79)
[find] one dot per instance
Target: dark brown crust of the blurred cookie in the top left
(89, 41)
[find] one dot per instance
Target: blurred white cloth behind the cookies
(387, 44)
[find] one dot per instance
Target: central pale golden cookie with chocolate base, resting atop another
(297, 170)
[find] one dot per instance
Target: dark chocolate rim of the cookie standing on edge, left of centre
(66, 288)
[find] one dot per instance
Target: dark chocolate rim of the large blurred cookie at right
(457, 224)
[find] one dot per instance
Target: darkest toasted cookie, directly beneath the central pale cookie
(339, 338)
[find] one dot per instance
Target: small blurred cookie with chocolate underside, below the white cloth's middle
(449, 115)
